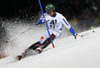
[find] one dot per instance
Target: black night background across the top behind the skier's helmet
(69, 8)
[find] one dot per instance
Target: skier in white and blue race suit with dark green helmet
(54, 21)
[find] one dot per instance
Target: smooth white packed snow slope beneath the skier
(68, 53)
